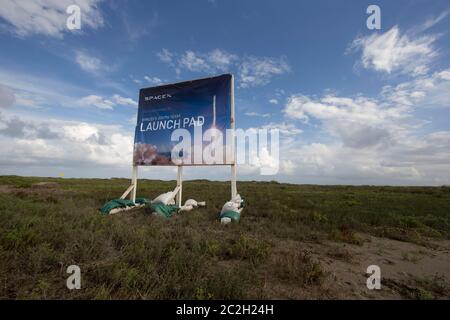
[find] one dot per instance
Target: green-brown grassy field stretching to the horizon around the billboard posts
(272, 253)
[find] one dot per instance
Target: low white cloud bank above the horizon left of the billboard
(75, 144)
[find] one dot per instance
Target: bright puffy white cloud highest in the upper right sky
(392, 51)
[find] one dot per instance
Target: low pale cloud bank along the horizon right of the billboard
(420, 159)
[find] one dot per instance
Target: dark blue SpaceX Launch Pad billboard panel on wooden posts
(188, 109)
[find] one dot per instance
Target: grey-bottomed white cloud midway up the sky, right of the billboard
(358, 122)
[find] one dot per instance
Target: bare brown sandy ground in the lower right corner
(408, 271)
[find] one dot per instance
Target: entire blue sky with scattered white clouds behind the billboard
(353, 105)
